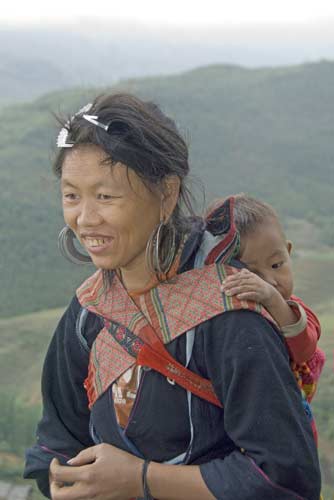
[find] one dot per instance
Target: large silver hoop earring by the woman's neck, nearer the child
(161, 248)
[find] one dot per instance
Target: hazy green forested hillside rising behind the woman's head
(268, 132)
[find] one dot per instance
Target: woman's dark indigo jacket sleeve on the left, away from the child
(64, 428)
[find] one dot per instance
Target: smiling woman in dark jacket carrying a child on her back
(113, 427)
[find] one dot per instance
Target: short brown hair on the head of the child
(249, 213)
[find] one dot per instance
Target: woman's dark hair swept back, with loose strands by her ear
(140, 136)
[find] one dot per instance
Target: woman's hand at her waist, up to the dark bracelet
(100, 472)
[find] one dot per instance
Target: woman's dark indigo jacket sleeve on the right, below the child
(263, 415)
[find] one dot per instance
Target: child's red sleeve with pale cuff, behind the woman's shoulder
(302, 336)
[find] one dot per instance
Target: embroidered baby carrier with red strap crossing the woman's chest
(137, 335)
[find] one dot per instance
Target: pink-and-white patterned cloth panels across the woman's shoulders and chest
(172, 308)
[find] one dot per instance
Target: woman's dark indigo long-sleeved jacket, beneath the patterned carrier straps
(258, 447)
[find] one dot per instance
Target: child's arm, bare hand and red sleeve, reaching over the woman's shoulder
(298, 323)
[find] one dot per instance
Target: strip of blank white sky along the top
(180, 12)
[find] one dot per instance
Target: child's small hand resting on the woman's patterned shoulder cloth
(249, 286)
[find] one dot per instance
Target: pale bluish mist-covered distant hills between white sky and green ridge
(37, 59)
